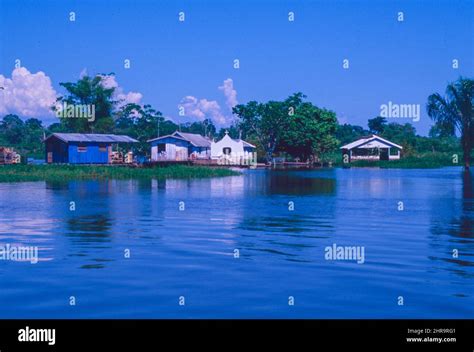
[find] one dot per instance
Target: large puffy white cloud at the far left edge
(27, 94)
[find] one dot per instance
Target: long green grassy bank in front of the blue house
(19, 173)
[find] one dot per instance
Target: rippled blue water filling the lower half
(190, 252)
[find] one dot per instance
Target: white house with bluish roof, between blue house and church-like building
(180, 146)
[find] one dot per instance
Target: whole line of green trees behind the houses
(294, 128)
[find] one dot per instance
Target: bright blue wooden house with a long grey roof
(79, 148)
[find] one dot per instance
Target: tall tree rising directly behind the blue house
(91, 92)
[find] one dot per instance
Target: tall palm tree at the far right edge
(457, 110)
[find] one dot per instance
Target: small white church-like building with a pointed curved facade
(233, 151)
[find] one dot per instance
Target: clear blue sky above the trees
(402, 62)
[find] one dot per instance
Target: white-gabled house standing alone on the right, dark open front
(371, 148)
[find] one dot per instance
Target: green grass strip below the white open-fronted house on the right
(420, 161)
